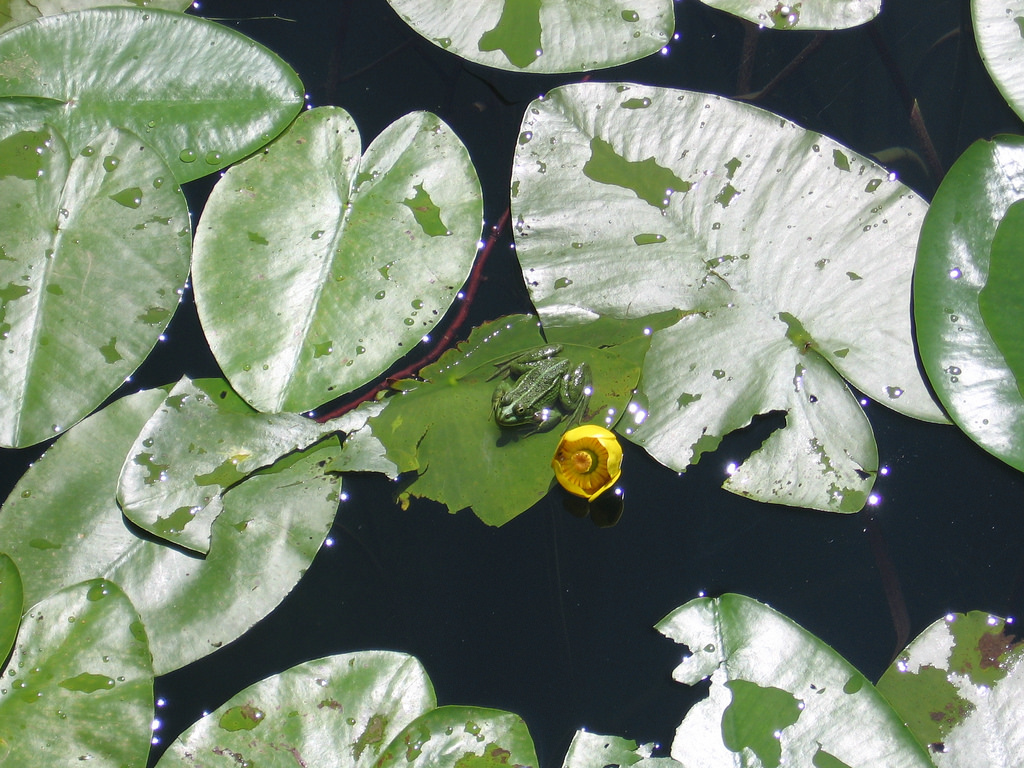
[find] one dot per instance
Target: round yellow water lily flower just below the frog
(588, 461)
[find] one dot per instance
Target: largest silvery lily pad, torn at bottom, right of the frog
(765, 238)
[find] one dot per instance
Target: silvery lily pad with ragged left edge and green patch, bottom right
(779, 696)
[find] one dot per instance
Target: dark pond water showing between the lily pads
(550, 616)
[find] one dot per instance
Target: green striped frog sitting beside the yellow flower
(540, 390)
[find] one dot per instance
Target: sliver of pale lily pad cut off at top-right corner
(999, 30)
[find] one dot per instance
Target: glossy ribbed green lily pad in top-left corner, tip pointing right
(162, 75)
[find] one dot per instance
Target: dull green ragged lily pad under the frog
(444, 426)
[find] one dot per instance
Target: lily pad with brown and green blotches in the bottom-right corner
(959, 687)
